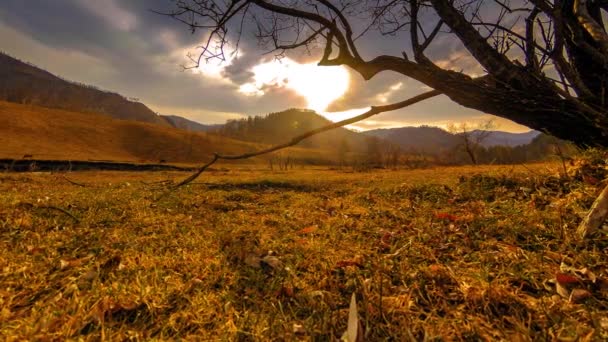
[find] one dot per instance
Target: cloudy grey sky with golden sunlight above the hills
(125, 47)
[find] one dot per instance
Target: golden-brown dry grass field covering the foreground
(467, 253)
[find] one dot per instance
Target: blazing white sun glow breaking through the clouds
(320, 86)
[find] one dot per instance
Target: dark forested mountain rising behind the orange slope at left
(24, 83)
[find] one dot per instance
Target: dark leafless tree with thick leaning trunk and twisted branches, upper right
(545, 61)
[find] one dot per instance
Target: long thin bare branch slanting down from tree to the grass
(375, 110)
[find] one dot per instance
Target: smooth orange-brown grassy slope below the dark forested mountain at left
(58, 134)
